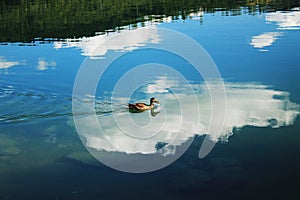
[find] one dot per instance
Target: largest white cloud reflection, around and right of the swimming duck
(247, 104)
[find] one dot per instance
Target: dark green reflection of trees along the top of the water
(23, 21)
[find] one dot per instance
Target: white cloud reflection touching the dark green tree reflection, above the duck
(90, 45)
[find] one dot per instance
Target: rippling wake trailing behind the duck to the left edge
(28, 105)
